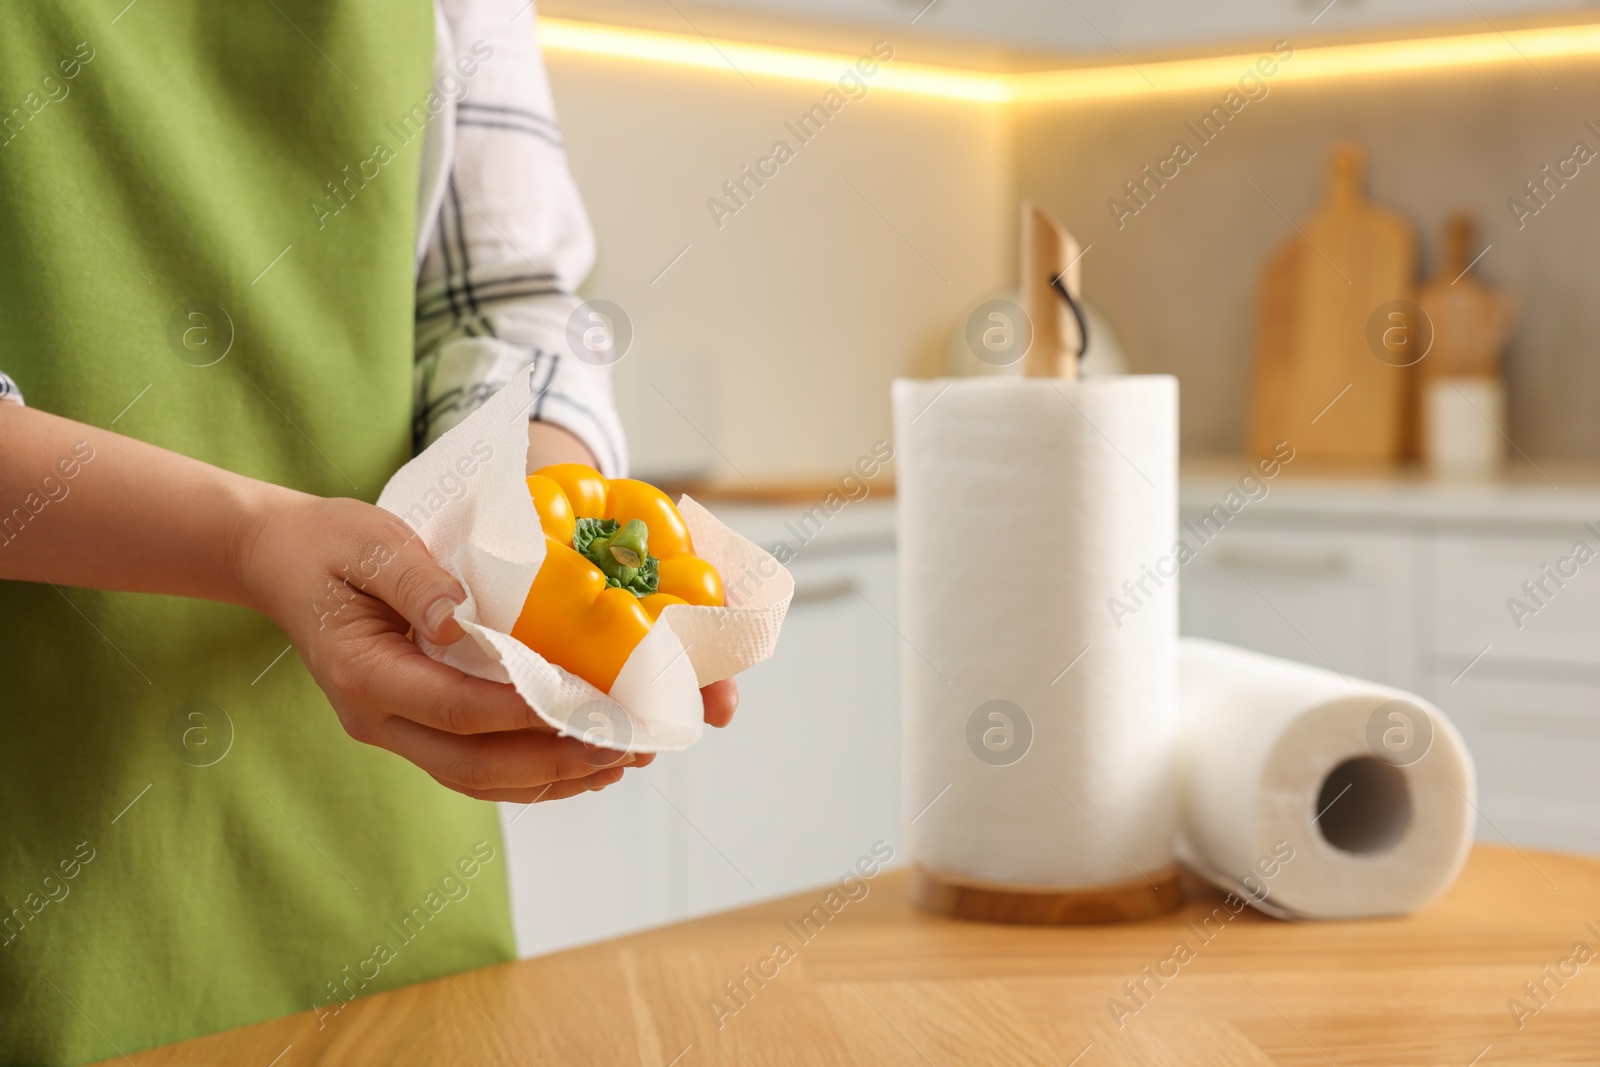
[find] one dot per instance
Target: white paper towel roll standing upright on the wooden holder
(1039, 721)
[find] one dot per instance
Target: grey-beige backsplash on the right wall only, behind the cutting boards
(1180, 273)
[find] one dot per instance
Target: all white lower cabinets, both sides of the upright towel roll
(1388, 580)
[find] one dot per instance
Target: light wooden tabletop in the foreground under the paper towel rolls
(884, 985)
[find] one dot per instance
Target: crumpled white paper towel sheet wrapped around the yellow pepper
(468, 497)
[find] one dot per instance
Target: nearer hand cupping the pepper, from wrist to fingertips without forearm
(348, 581)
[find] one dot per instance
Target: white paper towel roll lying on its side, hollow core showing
(1367, 789)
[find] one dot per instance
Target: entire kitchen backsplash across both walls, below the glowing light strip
(767, 330)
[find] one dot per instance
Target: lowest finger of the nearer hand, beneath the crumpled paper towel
(494, 762)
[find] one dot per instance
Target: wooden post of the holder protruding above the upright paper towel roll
(1050, 257)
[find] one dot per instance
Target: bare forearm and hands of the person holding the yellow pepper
(345, 580)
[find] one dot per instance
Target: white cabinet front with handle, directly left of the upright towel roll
(809, 775)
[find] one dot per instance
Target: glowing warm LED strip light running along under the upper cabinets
(1169, 76)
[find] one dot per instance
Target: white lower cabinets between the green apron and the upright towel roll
(794, 793)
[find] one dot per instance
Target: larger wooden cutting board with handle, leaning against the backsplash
(1319, 383)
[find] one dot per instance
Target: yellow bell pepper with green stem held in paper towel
(617, 554)
